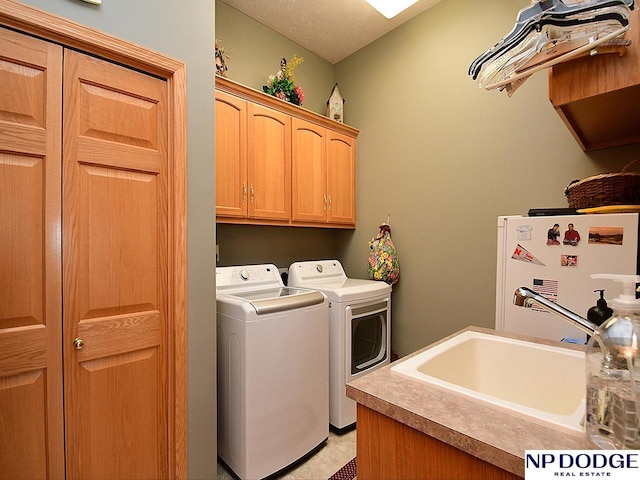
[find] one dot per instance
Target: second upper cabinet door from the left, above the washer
(269, 165)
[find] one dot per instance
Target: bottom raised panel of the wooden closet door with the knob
(118, 389)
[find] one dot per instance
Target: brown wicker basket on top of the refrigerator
(607, 189)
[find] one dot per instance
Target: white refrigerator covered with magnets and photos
(555, 256)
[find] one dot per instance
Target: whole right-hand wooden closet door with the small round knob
(115, 205)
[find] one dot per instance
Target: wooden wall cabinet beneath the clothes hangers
(598, 97)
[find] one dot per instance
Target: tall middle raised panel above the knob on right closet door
(118, 244)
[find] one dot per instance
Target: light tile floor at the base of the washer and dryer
(338, 450)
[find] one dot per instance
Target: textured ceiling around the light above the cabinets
(332, 29)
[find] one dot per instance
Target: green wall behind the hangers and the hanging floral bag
(445, 158)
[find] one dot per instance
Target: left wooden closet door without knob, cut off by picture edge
(31, 420)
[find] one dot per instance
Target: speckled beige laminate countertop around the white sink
(494, 436)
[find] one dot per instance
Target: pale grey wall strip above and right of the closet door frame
(186, 32)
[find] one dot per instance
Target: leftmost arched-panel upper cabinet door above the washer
(231, 156)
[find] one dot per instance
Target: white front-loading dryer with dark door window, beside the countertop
(360, 329)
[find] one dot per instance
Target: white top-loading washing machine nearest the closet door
(273, 371)
